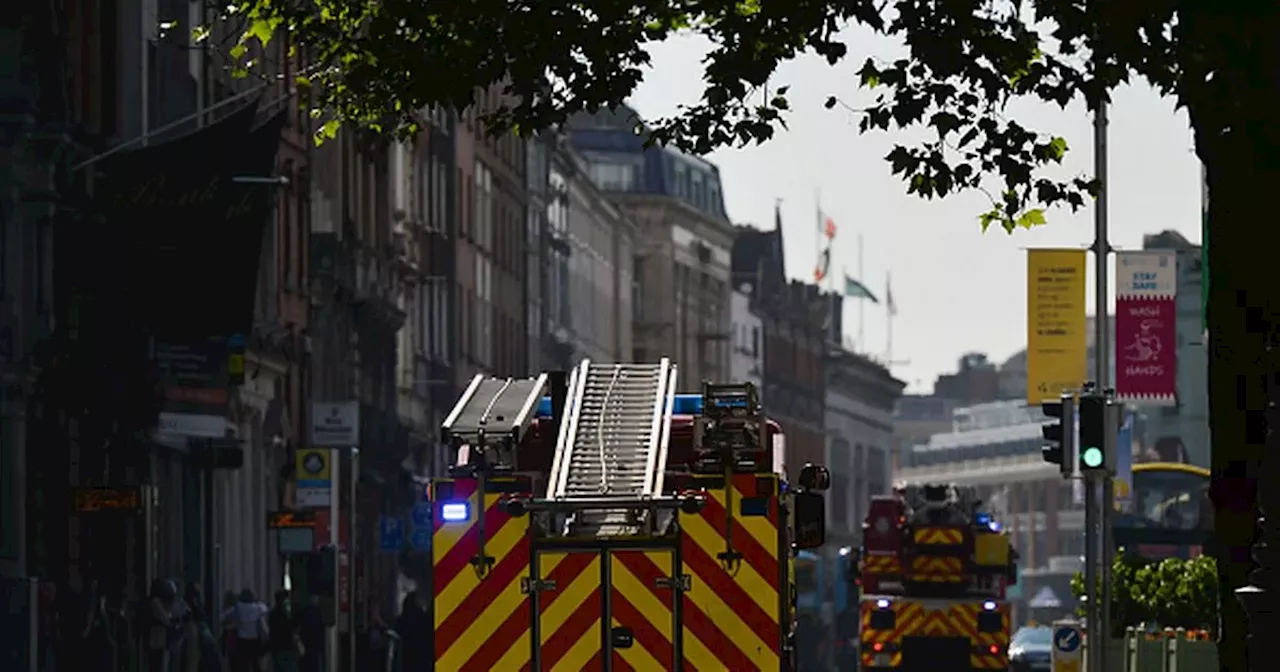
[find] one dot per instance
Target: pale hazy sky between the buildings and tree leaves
(957, 290)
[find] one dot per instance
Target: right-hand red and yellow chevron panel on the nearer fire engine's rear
(732, 615)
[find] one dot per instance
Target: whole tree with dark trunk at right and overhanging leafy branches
(378, 65)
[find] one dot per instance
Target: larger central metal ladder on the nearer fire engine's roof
(611, 454)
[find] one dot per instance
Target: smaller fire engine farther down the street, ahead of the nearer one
(935, 570)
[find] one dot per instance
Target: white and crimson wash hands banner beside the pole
(1148, 327)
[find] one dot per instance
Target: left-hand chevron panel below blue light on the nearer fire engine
(479, 615)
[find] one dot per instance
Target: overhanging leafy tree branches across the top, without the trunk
(378, 65)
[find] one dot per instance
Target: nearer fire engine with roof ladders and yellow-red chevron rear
(597, 520)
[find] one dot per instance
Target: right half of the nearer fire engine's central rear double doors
(642, 606)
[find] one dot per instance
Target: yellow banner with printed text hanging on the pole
(1055, 323)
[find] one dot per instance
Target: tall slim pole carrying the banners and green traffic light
(1101, 532)
